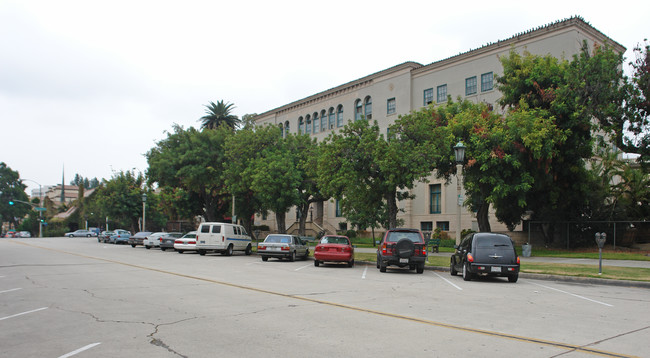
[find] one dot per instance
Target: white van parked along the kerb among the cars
(222, 237)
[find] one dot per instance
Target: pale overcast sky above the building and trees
(92, 85)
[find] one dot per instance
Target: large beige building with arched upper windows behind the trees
(385, 95)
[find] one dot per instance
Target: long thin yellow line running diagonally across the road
(568, 347)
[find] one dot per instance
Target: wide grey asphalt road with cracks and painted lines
(63, 297)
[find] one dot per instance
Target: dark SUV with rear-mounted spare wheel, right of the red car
(402, 247)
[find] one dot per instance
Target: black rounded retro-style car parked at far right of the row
(485, 254)
